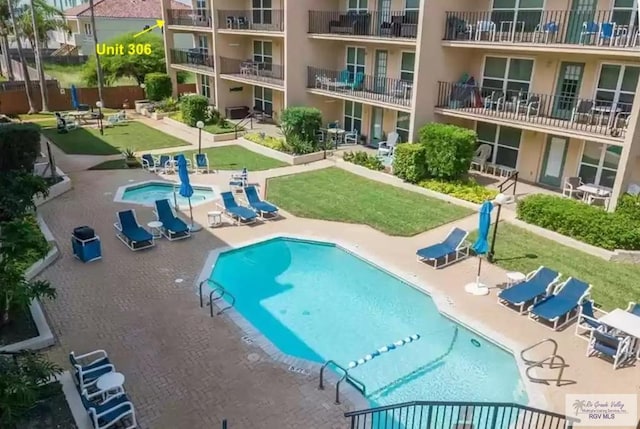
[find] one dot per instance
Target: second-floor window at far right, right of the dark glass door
(617, 86)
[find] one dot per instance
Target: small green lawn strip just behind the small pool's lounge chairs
(234, 157)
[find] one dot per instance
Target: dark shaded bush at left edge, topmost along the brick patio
(19, 146)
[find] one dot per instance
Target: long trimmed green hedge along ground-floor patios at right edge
(583, 222)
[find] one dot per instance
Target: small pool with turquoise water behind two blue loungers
(146, 193)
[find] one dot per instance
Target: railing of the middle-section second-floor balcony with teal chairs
(374, 88)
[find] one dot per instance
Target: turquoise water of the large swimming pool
(316, 301)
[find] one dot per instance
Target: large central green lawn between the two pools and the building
(337, 195)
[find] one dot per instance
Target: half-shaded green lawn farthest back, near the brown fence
(133, 135)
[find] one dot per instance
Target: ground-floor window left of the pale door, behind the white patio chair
(504, 142)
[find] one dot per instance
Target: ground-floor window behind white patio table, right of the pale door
(599, 164)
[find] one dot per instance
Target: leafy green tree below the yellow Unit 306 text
(135, 66)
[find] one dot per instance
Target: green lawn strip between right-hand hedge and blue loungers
(614, 284)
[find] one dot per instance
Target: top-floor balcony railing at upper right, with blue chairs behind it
(595, 28)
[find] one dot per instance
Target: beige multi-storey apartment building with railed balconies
(549, 85)
